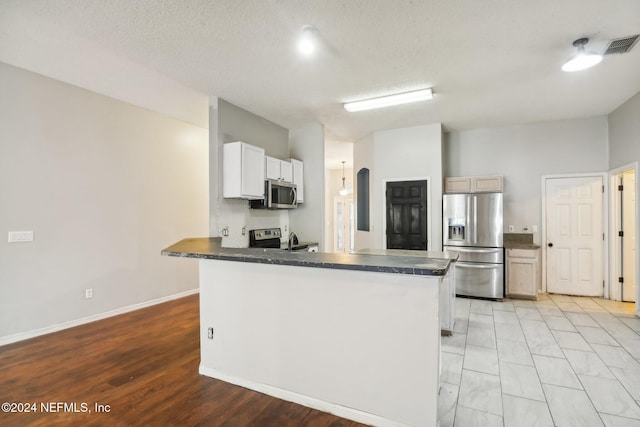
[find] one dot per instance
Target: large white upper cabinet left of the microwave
(242, 171)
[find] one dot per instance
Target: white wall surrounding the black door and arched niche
(403, 154)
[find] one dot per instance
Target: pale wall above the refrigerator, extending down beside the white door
(523, 154)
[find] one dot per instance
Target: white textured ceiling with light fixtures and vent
(490, 63)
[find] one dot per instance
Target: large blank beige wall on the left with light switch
(105, 186)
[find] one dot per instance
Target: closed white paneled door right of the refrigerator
(574, 232)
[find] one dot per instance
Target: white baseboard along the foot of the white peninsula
(301, 399)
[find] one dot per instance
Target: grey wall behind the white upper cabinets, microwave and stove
(236, 124)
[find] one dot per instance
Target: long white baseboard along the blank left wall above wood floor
(88, 319)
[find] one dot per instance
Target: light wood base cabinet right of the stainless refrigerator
(523, 274)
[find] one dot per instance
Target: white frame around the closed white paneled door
(605, 228)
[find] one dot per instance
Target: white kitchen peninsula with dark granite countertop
(357, 335)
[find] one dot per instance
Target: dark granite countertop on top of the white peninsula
(209, 248)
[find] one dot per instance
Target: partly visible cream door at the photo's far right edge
(629, 236)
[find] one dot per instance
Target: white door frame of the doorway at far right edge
(614, 224)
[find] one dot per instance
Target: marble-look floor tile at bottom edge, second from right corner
(570, 407)
